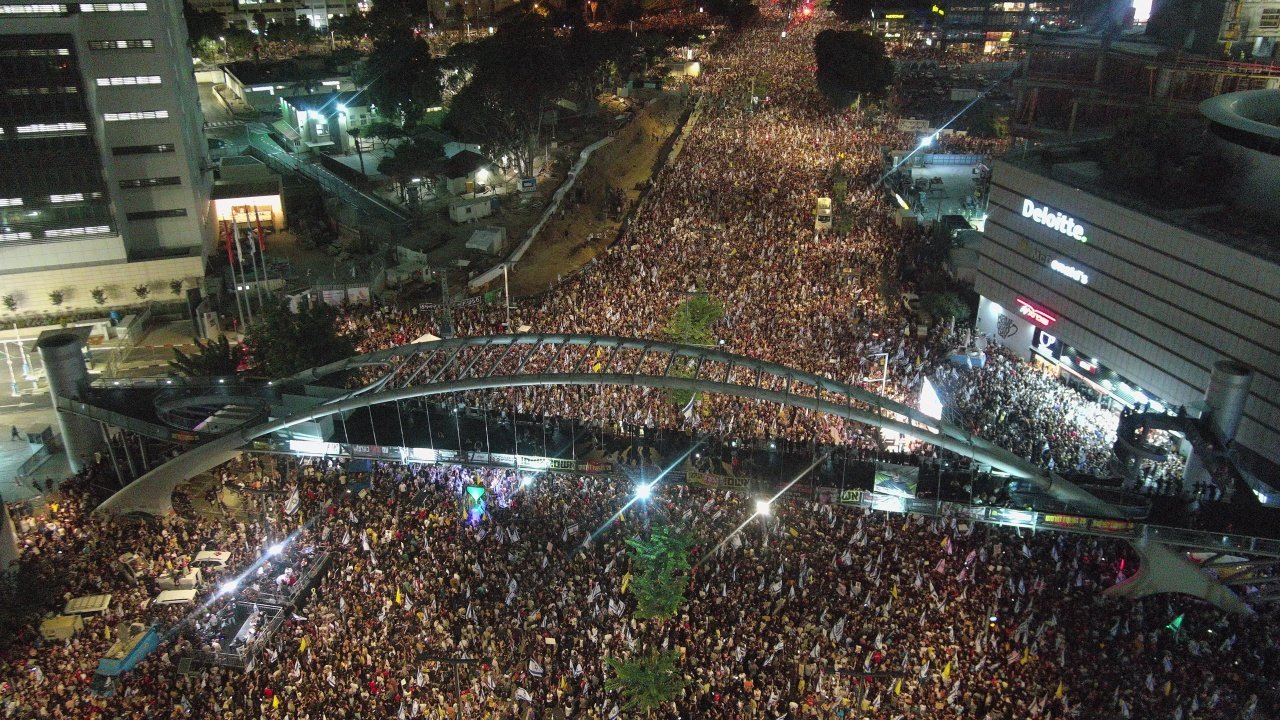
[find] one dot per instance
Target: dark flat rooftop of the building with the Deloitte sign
(1233, 227)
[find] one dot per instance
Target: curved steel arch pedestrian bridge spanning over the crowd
(445, 367)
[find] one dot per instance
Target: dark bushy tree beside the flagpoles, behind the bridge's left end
(282, 343)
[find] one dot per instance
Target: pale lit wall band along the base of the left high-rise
(33, 289)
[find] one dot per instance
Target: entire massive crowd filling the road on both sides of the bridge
(971, 622)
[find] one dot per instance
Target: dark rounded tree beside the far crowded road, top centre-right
(851, 65)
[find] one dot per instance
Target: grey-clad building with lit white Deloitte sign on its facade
(1136, 303)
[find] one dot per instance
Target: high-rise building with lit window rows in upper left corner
(106, 180)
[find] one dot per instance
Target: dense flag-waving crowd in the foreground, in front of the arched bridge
(781, 621)
